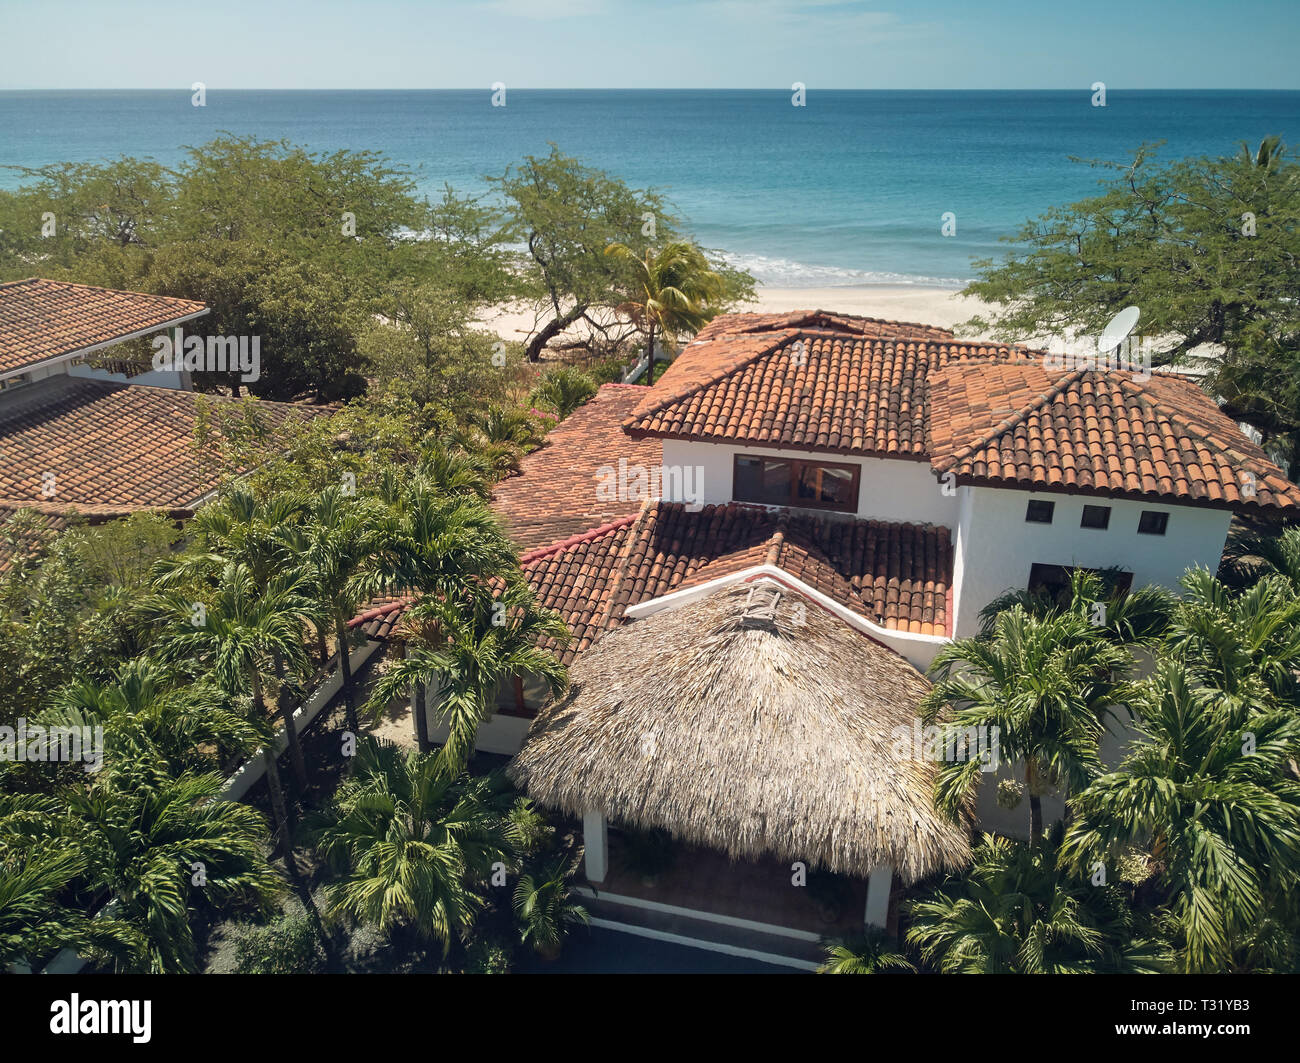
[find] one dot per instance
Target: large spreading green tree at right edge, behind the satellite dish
(1210, 250)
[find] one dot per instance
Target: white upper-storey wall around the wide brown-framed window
(891, 489)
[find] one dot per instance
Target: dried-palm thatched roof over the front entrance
(752, 731)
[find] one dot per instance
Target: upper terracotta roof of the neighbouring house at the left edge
(41, 320)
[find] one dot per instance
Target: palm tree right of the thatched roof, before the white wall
(1046, 685)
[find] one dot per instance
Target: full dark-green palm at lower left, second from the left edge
(161, 847)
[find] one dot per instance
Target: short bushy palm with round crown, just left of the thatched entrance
(413, 841)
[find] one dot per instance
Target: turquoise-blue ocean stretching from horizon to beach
(850, 190)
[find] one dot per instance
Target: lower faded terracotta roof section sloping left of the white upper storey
(556, 493)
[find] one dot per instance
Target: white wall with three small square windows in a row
(998, 546)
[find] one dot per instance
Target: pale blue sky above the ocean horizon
(651, 45)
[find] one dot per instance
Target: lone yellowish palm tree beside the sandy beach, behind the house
(675, 292)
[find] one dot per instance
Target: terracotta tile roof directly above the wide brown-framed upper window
(808, 389)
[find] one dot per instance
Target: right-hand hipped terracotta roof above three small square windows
(1098, 432)
